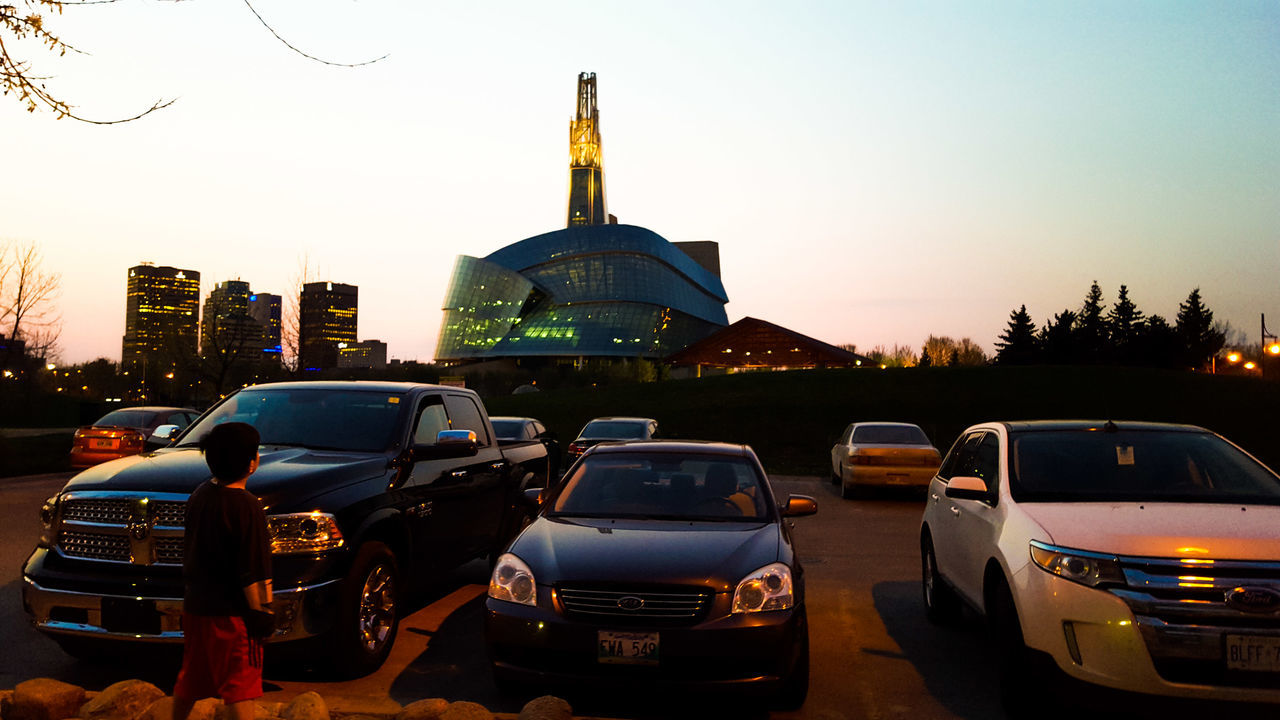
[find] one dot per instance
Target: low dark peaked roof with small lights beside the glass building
(753, 344)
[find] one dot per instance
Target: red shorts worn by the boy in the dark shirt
(220, 660)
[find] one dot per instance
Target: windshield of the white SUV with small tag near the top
(1136, 466)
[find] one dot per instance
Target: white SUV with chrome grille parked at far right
(1137, 557)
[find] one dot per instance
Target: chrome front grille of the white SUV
(1182, 610)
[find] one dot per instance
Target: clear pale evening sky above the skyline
(874, 172)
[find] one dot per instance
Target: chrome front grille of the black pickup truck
(122, 527)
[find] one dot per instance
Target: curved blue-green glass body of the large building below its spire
(592, 291)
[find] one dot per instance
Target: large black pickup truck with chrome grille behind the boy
(369, 489)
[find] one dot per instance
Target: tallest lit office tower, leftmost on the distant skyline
(162, 308)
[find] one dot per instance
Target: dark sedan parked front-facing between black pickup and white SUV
(657, 563)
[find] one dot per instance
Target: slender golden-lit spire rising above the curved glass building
(586, 160)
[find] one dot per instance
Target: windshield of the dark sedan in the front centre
(662, 486)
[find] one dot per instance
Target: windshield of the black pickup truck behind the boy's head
(323, 420)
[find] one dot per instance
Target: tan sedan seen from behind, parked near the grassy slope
(881, 455)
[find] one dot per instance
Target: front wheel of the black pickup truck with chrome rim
(369, 612)
